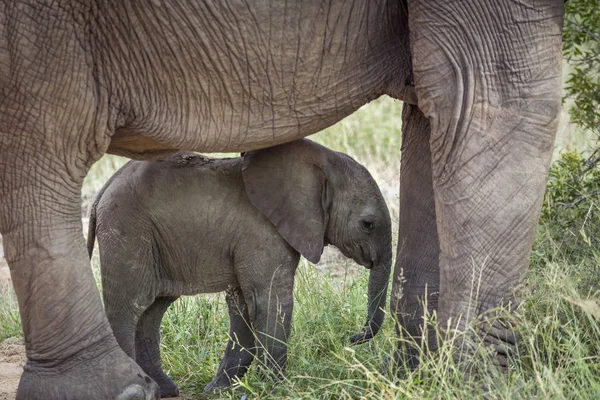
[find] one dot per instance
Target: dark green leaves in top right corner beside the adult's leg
(581, 48)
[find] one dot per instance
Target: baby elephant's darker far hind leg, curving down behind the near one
(147, 342)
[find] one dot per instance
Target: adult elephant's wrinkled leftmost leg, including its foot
(70, 348)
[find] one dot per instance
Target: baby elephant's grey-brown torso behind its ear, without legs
(190, 207)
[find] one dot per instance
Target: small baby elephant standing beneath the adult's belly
(187, 224)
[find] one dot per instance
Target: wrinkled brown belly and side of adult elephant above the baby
(271, 73)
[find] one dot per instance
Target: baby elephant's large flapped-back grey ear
(288, 185)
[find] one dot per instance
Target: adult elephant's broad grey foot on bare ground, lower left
(112, 375)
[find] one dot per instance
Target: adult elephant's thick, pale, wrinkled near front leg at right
(488, 77)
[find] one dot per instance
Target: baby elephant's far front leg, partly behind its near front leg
(240, 347)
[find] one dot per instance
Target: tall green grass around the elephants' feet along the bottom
(557, 355)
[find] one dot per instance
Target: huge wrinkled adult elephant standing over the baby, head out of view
(142, 79)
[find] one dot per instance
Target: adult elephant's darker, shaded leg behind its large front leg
(417, 274)
